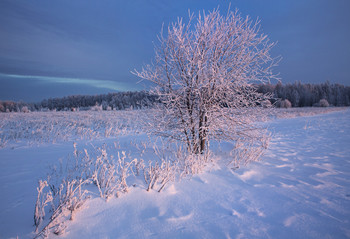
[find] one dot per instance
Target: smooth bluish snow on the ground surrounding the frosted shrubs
(300, 189)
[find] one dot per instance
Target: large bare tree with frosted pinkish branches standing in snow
(206, 73)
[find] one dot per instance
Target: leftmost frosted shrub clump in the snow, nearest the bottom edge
(64, 192)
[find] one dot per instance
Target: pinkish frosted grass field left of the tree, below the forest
(50, 127)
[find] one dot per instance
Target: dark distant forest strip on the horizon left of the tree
(111, 101)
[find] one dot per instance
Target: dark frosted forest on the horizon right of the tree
(304, 95)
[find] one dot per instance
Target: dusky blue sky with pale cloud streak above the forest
(62, 47)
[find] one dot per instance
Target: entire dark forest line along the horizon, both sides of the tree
(298, 94)
